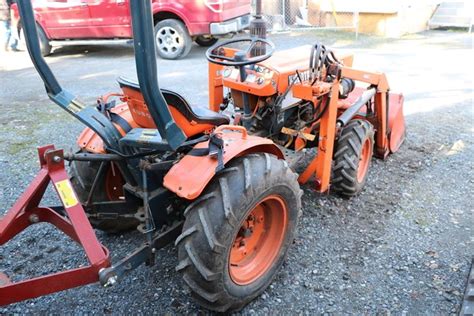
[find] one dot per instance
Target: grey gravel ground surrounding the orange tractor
(403, 246)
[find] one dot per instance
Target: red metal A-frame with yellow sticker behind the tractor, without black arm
(26, 211)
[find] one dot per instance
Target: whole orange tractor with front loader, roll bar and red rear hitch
(215, 181)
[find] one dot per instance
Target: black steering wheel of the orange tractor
(215, 54)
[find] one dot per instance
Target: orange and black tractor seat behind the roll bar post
(192, 120)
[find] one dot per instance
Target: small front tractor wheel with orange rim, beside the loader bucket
(352, 156)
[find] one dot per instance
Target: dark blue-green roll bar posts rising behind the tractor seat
(145, 59)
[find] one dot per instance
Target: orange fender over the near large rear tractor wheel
(191, 174)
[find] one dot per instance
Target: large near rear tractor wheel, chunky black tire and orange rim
(237, 234)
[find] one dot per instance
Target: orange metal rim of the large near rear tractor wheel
(258, 241)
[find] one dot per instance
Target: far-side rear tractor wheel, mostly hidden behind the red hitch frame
(109, 188)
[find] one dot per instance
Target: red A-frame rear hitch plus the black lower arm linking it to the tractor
(73, 221)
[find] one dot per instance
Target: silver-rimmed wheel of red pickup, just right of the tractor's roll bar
(172, 39)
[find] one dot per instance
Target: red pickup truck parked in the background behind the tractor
(177, 22)
